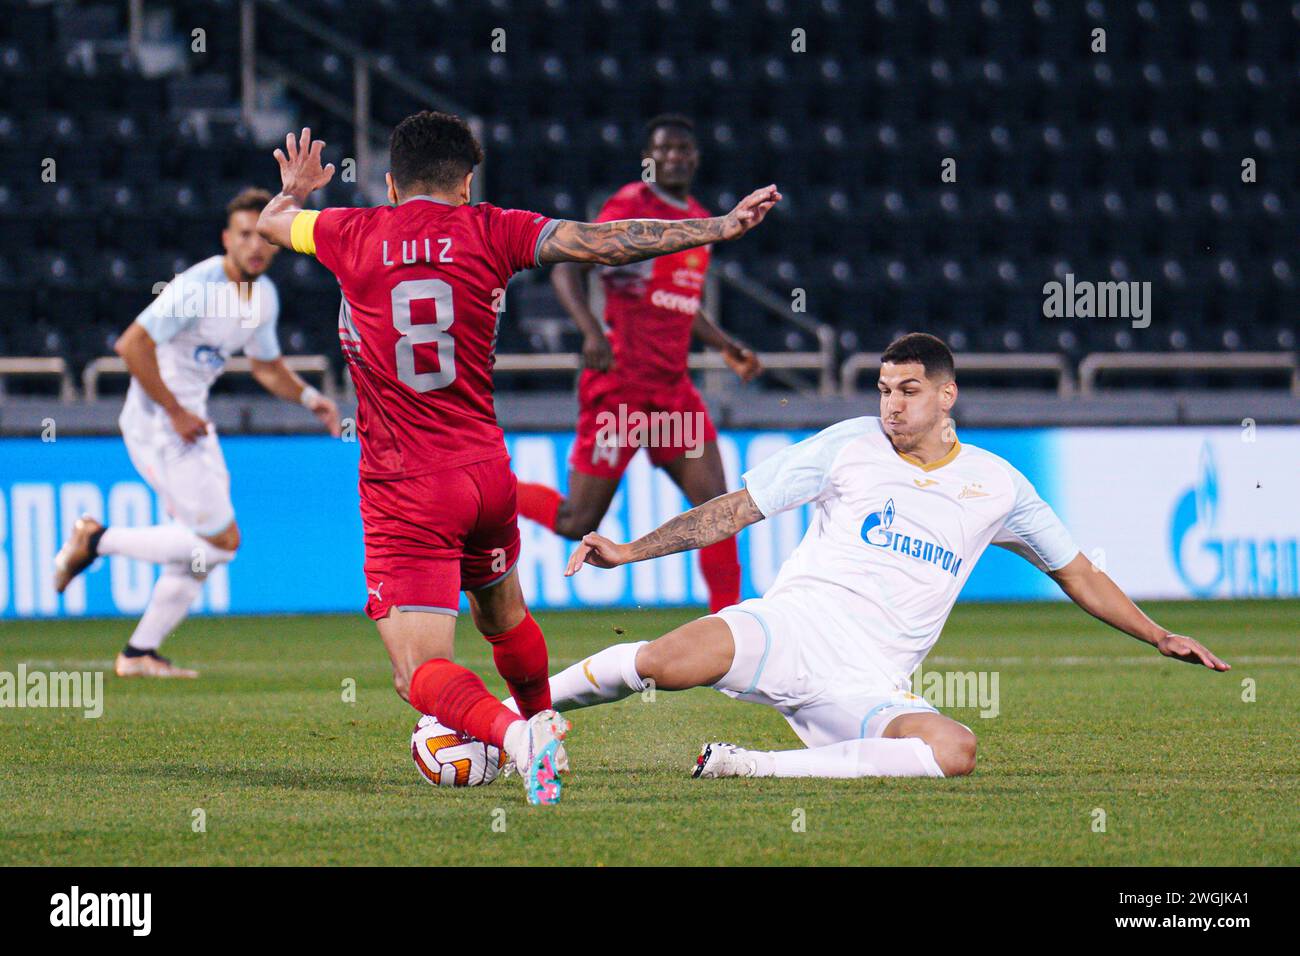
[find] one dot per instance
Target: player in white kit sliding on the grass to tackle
(903, 511)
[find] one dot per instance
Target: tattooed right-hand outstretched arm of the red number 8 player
(632, 240)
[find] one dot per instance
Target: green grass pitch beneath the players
(287, 772)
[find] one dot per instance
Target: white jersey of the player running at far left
(201, 321)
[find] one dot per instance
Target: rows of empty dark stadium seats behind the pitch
(1125, 165)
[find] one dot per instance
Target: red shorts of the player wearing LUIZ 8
(432, 537)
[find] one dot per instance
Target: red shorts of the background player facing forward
(617, 418)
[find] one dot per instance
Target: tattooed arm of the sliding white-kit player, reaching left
(712, 522)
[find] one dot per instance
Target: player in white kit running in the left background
(176, 351)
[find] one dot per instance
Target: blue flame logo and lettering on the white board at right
(1215, 564)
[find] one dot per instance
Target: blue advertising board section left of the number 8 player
(296, 503)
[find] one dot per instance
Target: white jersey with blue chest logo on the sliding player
(892, 540)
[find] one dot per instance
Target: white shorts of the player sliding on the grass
(791, 659)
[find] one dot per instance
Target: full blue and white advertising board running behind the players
(1171, 513)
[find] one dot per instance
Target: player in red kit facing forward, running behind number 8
(653, 312)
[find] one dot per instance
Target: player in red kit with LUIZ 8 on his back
(423, 284)
